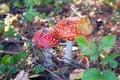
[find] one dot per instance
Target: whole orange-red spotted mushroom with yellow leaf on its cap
(69, 29)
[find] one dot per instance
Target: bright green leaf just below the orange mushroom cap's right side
(82, 42)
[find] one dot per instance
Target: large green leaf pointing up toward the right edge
(107, 42)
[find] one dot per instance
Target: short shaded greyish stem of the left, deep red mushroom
(48, 55)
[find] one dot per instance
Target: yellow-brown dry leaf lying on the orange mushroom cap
(85, 26)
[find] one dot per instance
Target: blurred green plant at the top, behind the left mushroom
(31, 12)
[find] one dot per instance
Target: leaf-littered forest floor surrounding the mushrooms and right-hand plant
(17, 31)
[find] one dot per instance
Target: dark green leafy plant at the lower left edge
(11, 64)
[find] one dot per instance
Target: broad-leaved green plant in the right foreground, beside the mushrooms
(95, 49)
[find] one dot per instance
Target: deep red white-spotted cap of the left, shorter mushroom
(46, 39)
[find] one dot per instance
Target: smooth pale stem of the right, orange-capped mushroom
(68, 53)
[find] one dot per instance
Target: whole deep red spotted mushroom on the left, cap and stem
(46, 39)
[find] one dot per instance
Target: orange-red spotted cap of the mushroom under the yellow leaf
(67, 28)
